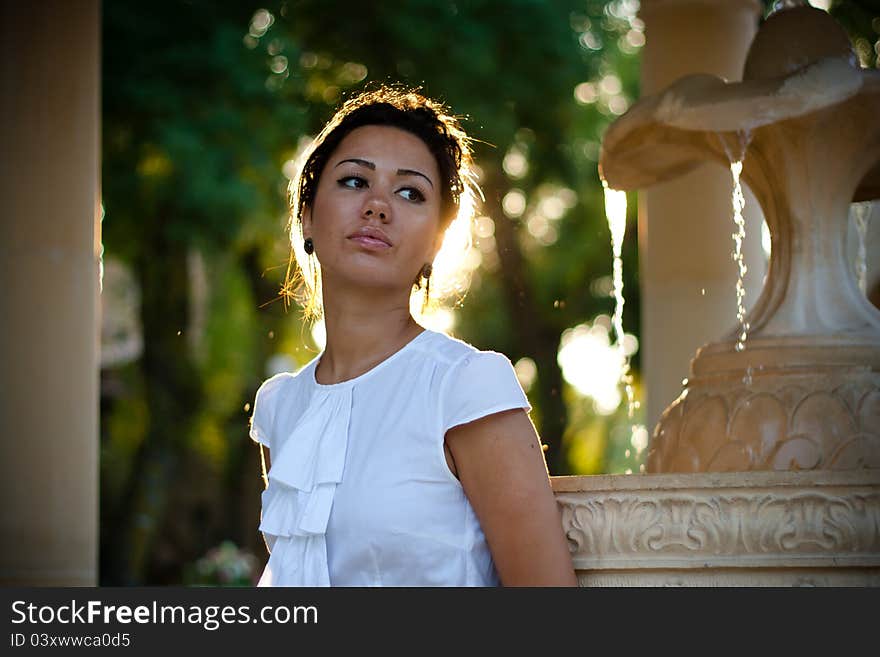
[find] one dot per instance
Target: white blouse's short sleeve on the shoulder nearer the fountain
(478, 385)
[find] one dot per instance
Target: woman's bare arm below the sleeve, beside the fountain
(501, 466)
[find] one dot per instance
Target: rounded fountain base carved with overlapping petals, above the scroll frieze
(786, 417)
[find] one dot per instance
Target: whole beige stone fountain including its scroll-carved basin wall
(766, 469)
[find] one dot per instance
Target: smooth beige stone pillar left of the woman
(50, 126)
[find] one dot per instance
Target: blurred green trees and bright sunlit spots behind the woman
(205, 108)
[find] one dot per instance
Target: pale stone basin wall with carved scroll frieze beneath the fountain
(755, 529)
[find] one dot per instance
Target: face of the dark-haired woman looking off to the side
(375, 218)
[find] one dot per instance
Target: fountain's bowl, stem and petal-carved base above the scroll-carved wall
(804, 393)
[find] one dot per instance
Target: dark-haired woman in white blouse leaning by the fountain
(399, 456)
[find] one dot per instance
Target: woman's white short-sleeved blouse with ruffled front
(359, 491)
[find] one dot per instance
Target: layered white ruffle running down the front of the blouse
(302, 482)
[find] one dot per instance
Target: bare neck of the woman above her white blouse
(361, 333)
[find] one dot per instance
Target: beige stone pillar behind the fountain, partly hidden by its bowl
(687, 275)
